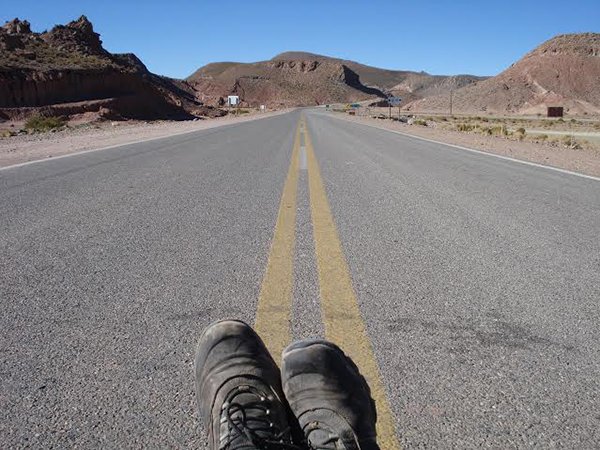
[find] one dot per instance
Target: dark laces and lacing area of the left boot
(247, 414)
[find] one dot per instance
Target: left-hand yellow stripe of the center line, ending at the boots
(273, 313)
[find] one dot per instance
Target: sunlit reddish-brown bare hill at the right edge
(564, 71)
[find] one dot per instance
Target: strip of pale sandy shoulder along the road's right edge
(585, 161)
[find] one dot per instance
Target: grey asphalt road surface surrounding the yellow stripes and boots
(478, 280)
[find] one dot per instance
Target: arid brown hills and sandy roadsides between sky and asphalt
(64, 81)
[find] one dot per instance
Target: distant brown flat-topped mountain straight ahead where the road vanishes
(300, 78)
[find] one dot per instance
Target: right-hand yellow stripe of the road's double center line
(341, 313)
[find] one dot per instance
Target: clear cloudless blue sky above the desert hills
(174, 37)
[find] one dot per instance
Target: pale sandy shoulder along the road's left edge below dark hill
(24, 148)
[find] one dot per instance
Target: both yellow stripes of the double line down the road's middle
(340, 311)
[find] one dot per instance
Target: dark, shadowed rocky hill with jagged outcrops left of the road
(66, 71)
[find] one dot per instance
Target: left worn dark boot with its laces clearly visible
(238, 387)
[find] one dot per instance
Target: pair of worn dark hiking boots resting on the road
(319, 400)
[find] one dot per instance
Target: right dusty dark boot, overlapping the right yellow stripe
(329, 397)
